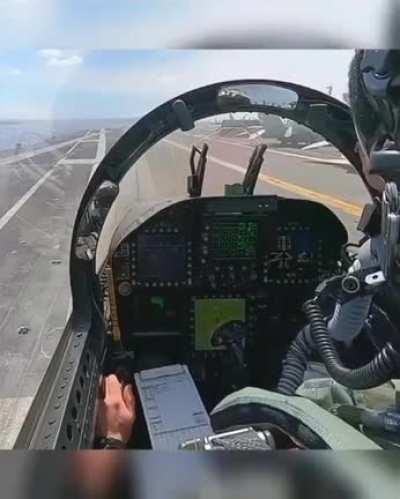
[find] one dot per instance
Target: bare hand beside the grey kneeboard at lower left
(117, 411)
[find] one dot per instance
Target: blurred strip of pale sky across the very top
(122, 24)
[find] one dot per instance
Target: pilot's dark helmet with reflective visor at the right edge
(374, 93)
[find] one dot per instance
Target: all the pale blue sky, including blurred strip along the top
(118, 58)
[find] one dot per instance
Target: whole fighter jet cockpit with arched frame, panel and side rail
(211, 269)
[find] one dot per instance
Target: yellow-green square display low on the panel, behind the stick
(211, 314)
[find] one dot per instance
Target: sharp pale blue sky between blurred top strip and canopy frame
(55, 83)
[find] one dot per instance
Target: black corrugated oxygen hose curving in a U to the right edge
(378, 371)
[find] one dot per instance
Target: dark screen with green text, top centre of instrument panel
(234, 239)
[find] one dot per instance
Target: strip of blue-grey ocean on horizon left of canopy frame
(31, 133)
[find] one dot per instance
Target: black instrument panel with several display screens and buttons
(219, 259)
